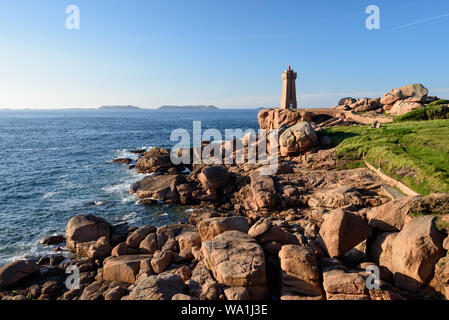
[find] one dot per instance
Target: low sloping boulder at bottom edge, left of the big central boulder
(160, 287)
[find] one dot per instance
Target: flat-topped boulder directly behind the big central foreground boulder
(212, 227)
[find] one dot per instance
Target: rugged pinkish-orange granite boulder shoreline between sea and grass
(309, 231)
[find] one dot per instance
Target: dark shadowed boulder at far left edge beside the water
(13, 272)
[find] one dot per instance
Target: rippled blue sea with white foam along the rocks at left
(56, 164)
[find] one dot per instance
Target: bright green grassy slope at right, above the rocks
(416, 153)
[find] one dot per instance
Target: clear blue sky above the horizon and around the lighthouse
(227, 53)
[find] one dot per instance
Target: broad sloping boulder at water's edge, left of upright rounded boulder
(161, 188)
